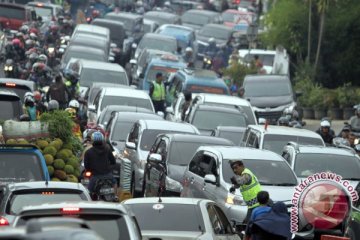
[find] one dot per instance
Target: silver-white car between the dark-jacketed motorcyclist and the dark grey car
(139, 142)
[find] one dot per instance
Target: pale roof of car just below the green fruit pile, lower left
(43, 185)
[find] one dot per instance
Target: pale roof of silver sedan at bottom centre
(165, 200)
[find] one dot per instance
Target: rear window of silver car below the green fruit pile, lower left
(22, 199)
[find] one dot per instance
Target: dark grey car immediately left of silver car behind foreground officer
(168, 159)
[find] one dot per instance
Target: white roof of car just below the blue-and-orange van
(222, 99)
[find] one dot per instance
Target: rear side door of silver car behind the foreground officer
(194, 178)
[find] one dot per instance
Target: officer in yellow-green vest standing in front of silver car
(248, 184)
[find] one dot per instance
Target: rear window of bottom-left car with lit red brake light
(109, 227)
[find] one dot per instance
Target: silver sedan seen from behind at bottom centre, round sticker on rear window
(178, 218)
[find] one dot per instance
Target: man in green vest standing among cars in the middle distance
(157, 93)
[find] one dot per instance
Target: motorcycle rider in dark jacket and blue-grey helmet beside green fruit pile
(99, 161)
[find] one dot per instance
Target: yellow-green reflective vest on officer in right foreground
(250, 191)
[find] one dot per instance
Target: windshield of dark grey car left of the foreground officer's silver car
(182, 152)
